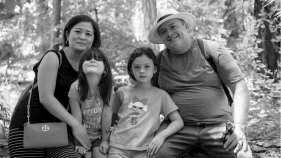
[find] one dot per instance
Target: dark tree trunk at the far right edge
(269, 55)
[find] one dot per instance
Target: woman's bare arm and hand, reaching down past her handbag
(47, 75)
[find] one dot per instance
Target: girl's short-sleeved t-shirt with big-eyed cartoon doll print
(138, 114)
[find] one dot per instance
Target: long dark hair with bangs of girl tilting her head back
(106, 82)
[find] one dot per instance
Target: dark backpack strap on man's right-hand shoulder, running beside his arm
(207, 55)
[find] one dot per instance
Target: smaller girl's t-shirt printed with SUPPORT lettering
(91, 110)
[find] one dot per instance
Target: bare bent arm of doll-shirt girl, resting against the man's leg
(159, 139)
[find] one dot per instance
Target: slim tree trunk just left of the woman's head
(55, 23)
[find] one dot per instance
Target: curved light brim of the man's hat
(189, 19)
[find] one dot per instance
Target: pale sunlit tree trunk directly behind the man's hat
(149, 10)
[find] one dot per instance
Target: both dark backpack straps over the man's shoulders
(209, 59)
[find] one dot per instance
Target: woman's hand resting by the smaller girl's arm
(80, 133)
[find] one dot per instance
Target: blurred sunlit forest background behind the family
(250, 29)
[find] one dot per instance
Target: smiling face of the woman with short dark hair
(81, 36)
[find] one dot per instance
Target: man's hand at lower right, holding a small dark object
(238, 139)
